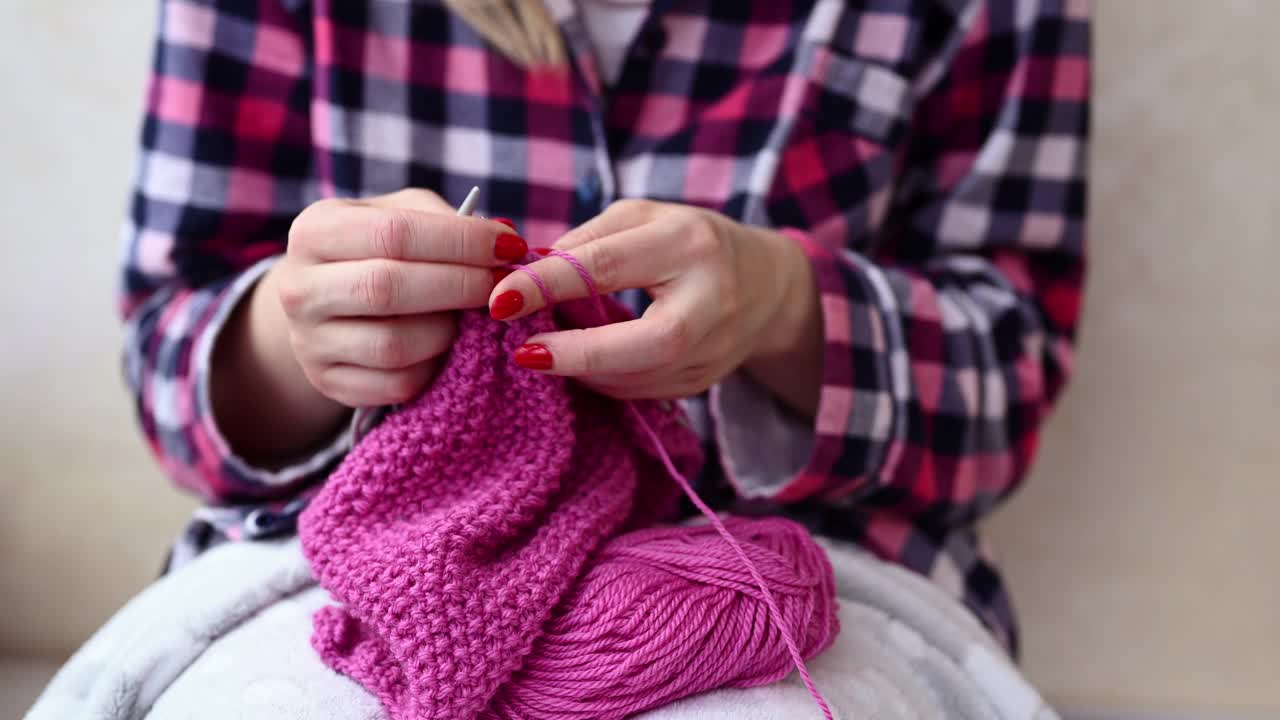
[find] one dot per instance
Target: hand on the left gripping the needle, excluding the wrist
(368, 290)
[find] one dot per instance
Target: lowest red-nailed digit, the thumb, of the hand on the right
(665, 336)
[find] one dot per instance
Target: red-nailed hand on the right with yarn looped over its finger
(723, 294)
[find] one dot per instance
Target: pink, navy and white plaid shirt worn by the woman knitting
(929, 156)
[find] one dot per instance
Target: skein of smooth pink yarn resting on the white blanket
(669, 613)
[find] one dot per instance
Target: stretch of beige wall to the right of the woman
(1144, 552)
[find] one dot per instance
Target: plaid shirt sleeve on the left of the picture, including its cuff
(225, 168)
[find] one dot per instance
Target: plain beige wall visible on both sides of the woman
(1142, 552)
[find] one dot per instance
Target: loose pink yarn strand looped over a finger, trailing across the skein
(775, 613)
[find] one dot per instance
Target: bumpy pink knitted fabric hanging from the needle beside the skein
(455, 530)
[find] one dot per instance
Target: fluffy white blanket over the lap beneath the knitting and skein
(230, 635)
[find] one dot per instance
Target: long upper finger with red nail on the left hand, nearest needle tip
(336, 231)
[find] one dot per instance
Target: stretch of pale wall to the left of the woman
(84, 514)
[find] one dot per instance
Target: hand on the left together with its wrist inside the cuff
(354, 316)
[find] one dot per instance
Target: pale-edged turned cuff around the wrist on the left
(241, 468)
